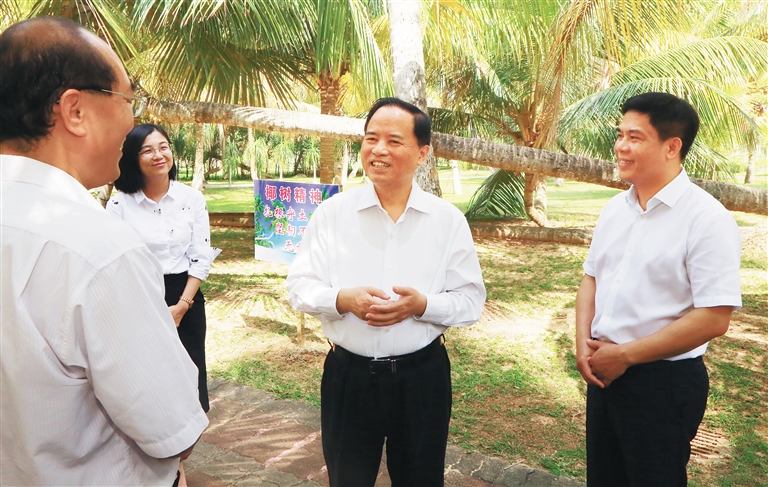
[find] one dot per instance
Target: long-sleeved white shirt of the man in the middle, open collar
(351, 241)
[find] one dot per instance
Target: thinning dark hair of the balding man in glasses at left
(40, 59)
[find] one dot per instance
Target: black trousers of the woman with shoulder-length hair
(191, 330)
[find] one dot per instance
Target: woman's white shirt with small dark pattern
(176, 229)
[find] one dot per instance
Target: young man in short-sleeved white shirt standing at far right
(661, 280)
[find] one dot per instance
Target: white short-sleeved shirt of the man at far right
(654, 266)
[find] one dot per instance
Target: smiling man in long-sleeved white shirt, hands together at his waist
(387, 269)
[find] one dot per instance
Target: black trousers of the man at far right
(639, 428)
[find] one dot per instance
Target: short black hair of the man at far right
(669, 115)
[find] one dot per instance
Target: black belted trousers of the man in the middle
(409, 409)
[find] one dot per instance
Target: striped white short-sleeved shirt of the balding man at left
(96, 387)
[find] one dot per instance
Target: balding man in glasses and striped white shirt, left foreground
(96, 387)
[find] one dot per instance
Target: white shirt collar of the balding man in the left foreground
(30, 171)
